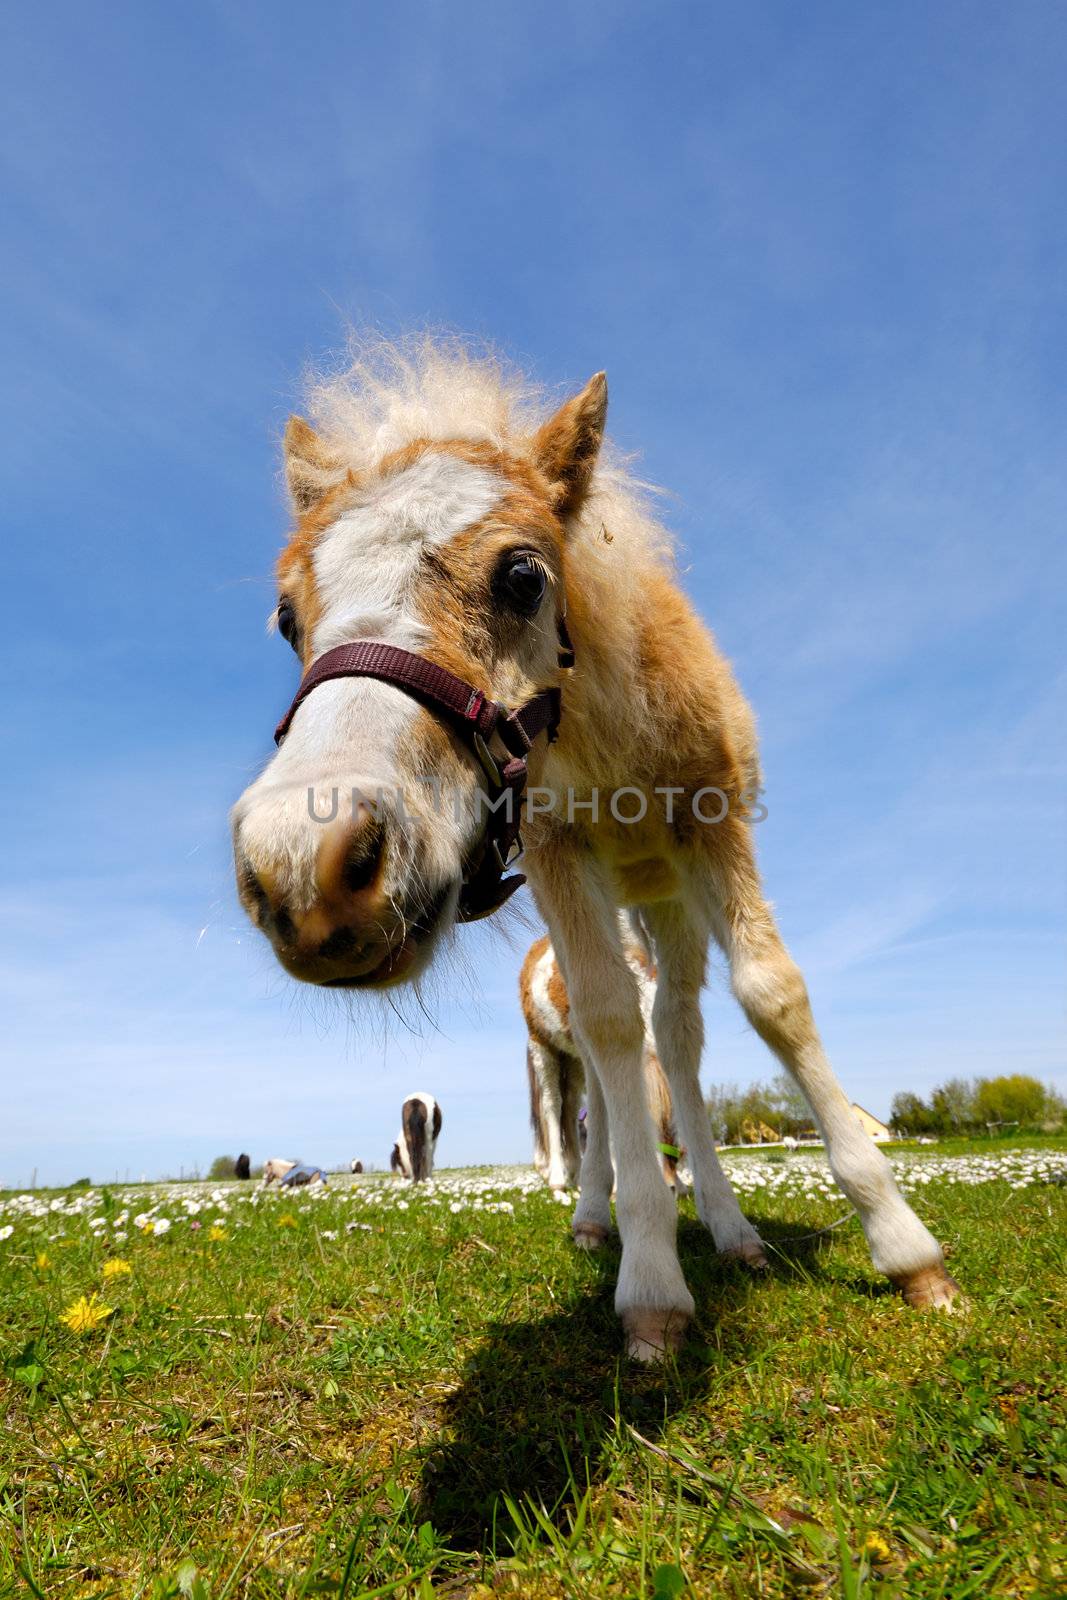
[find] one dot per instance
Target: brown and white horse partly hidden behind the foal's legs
(557, 1074)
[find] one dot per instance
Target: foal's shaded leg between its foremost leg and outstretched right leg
(679, 1026)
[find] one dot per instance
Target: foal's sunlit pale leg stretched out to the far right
(775, 999)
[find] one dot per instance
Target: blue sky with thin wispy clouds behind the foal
(820, 252)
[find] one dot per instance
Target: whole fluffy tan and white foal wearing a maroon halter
(465, 577)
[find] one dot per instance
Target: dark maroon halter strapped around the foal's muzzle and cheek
(471, 714)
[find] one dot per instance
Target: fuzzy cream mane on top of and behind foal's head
(388, 394)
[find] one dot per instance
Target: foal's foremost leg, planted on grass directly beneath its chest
(652, 1297)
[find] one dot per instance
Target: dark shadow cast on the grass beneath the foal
(541, 1401)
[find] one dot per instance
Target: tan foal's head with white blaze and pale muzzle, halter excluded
(351, 846)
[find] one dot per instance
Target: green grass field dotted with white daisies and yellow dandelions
(394, 1393)
